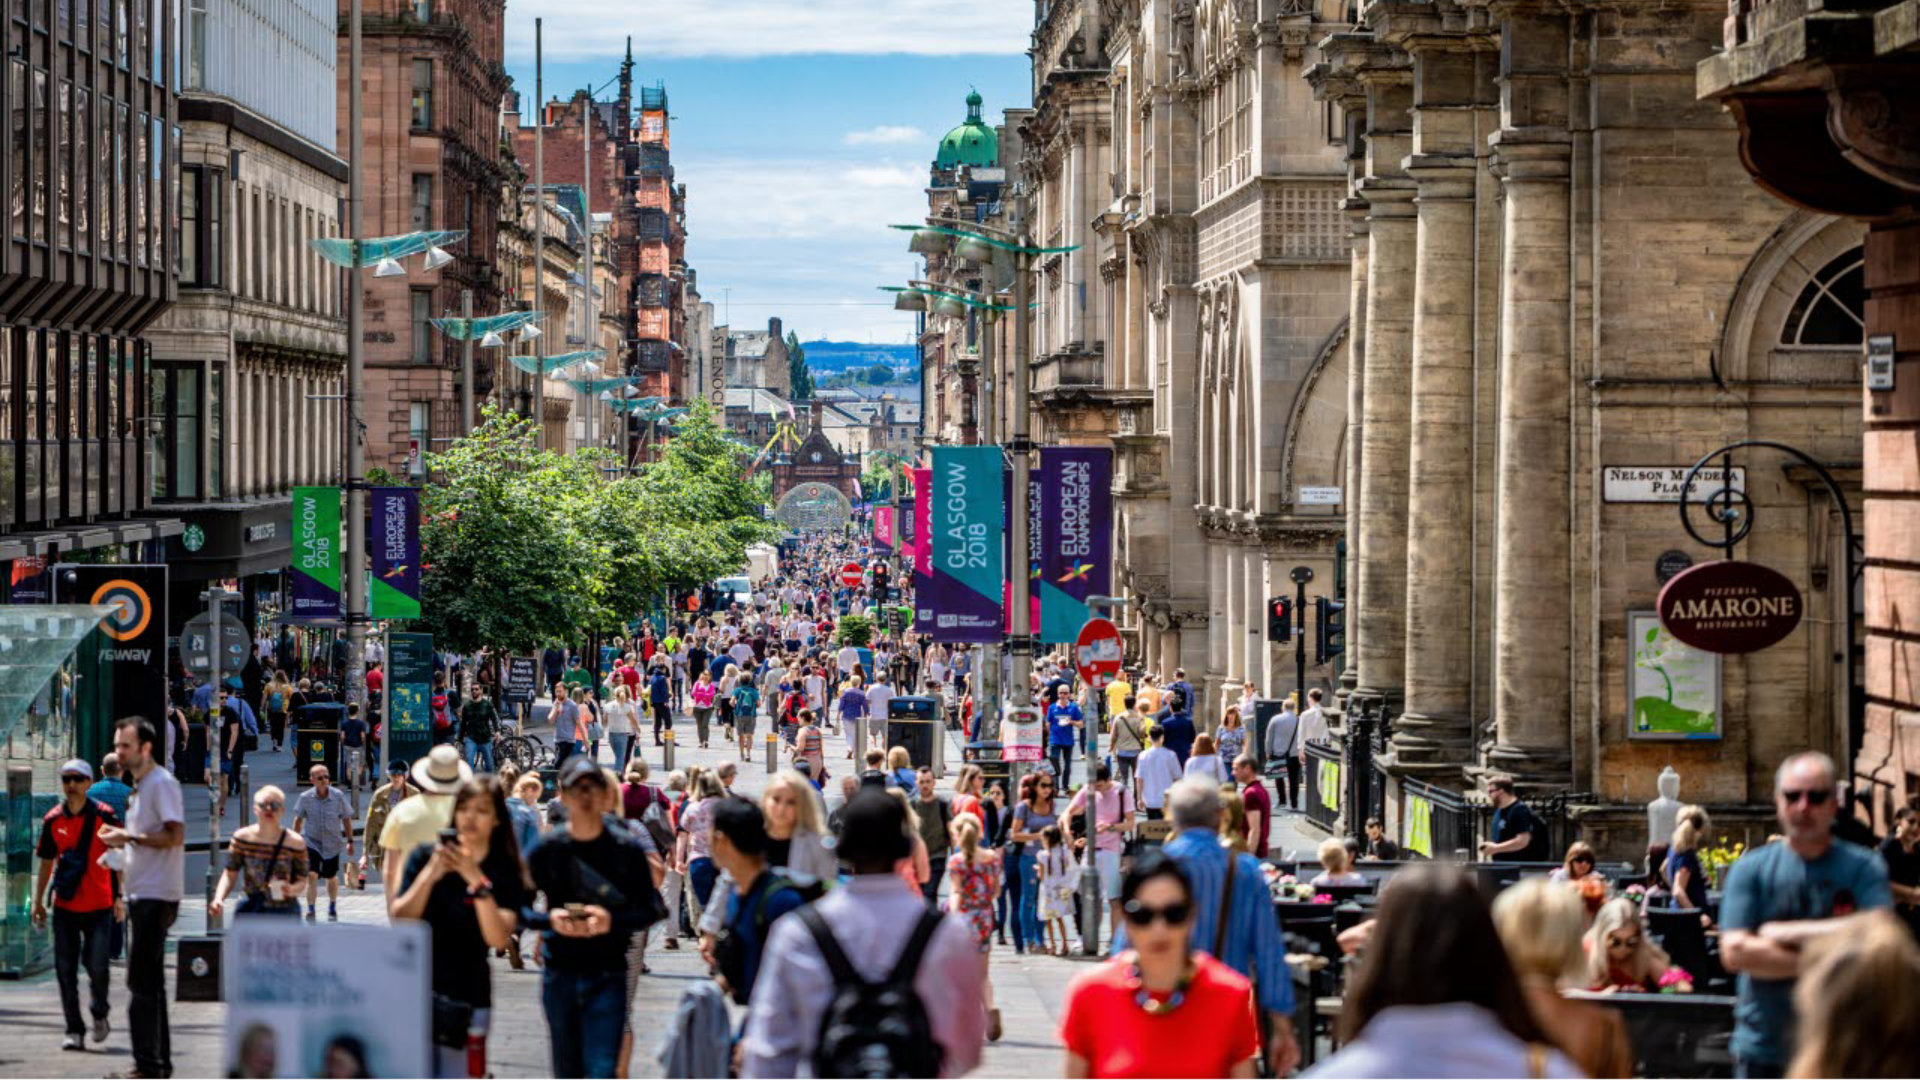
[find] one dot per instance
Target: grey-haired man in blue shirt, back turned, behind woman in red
(1251, 943)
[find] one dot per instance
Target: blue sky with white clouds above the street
(800, 130)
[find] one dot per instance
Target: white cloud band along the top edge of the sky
(777, 28)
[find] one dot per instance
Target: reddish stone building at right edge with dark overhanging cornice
(1813, 89)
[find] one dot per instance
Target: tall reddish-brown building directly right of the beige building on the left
(433, 74)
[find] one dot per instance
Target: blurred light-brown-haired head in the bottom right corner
(1860, 1002)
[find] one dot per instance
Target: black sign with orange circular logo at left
(122, 668)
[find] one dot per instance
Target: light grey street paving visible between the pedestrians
(1030, 989)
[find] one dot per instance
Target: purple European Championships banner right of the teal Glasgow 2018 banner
(1076, 537)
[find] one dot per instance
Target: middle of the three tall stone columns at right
(1435, 733)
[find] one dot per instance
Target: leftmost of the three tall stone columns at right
(1389, 374)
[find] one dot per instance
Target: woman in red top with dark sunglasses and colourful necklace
(1161, 1008)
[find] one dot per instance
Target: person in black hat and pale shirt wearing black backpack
(869, 981)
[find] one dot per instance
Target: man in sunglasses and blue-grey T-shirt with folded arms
(1783, 896)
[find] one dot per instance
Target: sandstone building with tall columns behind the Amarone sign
(1560, 280)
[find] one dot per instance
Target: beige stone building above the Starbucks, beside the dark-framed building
(249, 366)
